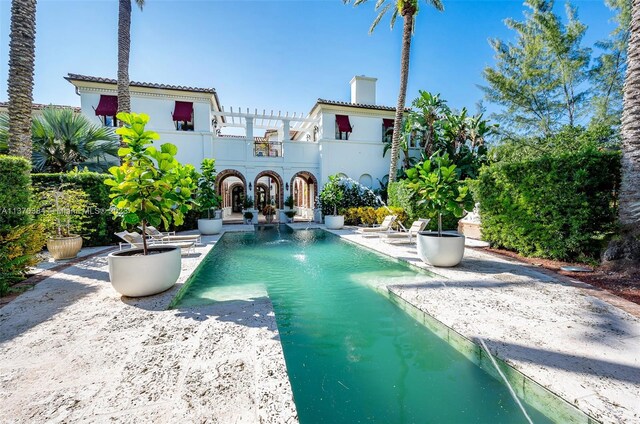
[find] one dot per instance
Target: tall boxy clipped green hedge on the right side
(556, 206)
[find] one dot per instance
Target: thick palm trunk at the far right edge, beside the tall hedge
(625, 251)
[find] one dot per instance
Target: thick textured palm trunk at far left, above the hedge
(22, 46)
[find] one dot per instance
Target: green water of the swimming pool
(352, 355)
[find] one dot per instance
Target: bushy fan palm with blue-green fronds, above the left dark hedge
(62, 140)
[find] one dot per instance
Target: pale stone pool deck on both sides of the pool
(73, 350)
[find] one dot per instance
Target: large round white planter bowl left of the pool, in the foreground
(136, 276)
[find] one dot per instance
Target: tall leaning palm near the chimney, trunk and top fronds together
(408, 10)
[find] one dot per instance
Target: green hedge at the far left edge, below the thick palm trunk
(20, 238)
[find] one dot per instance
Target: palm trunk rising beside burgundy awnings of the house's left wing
(124, 46)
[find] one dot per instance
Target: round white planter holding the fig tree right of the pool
(440, 251)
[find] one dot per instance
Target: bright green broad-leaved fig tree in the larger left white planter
(150, 187)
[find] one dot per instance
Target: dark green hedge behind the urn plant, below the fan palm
(101, 222)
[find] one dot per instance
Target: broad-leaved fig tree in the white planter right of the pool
(439, 189)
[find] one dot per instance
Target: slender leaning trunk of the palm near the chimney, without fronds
(408, 14)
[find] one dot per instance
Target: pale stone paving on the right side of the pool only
(559, 333)
